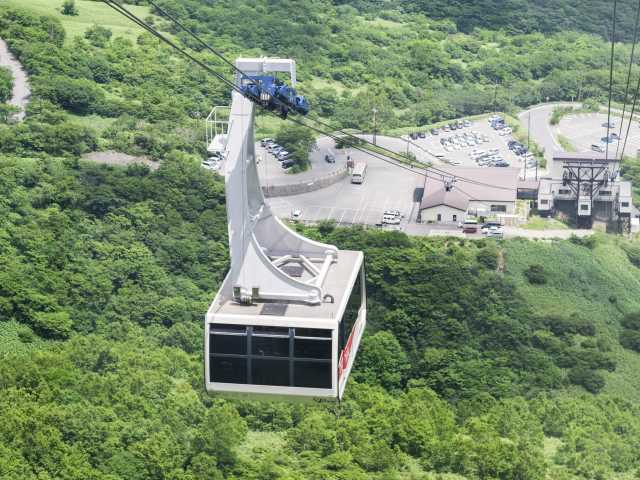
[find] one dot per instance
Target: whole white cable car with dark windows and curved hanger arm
(288, 318)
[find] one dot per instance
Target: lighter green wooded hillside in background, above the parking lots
(415, 70)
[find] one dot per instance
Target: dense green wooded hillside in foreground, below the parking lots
(105, 277)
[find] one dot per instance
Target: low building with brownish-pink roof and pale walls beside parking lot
(480, 192)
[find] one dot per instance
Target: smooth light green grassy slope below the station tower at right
(582, 280)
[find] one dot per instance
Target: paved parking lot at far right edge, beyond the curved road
(584, 130)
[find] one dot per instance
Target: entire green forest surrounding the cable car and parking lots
(484, 359)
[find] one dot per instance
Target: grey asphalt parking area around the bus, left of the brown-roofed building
(386, 187)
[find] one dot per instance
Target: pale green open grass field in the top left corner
(89, 13)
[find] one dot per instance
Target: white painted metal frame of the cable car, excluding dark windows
(260, 244)
